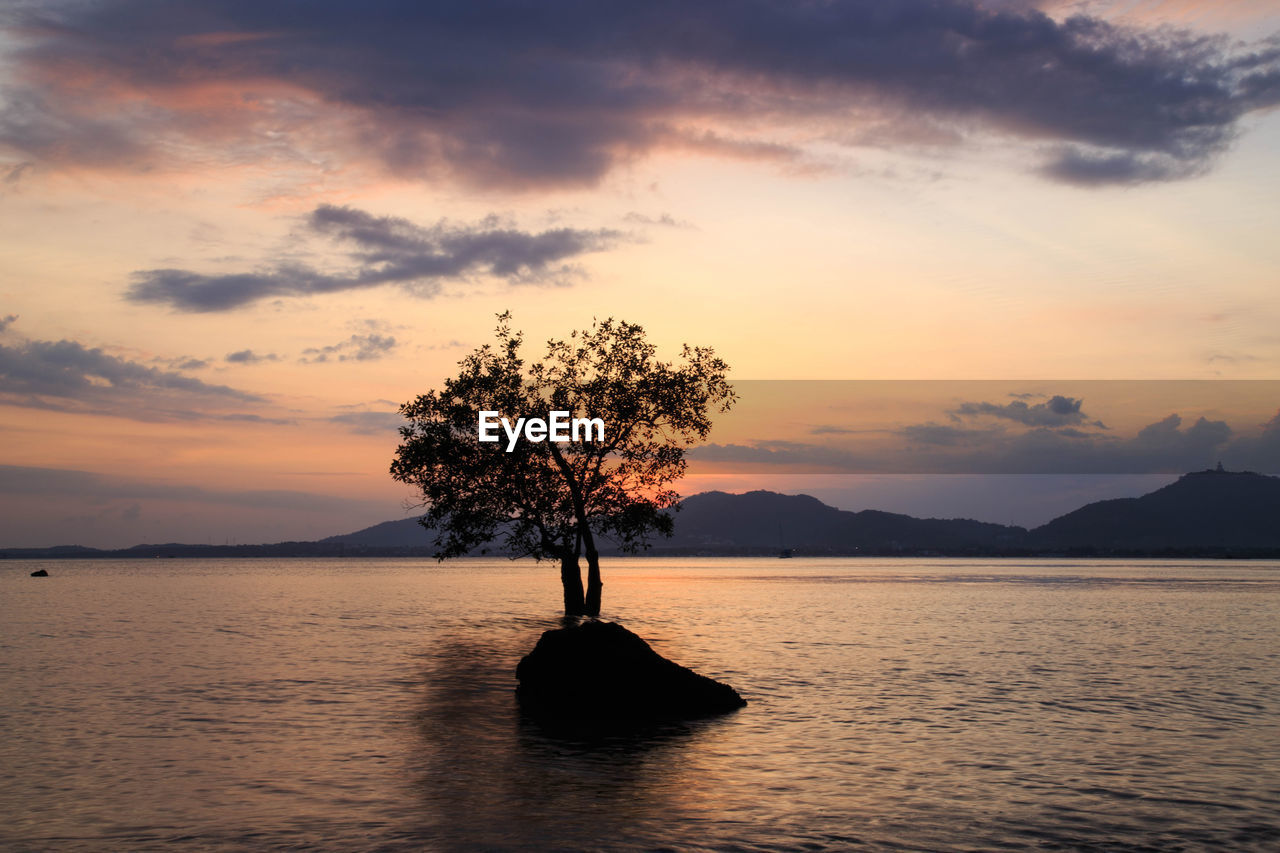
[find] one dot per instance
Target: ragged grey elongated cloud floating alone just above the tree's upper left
(385, 250)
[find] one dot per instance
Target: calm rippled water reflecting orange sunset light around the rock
(894, 705)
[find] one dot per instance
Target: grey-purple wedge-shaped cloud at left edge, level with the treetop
(66, 376)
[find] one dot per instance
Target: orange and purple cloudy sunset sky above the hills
(236, 236)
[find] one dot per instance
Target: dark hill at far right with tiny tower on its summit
(1205, 510)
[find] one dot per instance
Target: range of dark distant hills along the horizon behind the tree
(1203, 514)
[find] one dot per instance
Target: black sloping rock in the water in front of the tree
(604, 672)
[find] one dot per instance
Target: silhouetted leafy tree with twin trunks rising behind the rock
(552, 500)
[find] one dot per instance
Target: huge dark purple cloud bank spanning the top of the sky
(561, 94)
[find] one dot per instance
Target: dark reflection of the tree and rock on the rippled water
(492, 777)
